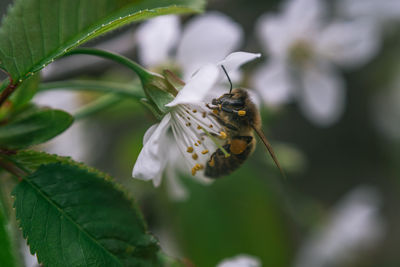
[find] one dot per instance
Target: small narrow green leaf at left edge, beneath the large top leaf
(25, 92)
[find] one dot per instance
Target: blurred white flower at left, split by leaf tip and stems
(73, 142)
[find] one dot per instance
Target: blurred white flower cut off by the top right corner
(377, 10)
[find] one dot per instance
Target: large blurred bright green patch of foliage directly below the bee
(236, 215)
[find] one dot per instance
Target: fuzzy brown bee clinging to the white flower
(240, 117)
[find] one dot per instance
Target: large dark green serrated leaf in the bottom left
(75, 216)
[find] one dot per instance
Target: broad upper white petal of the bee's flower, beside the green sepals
(198, 87)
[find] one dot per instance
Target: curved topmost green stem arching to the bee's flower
(139, 70)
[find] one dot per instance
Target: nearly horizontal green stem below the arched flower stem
(105, 87)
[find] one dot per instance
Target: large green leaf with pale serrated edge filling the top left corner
(36, 32)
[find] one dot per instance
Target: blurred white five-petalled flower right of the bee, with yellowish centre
(304, 51)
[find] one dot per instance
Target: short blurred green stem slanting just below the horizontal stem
(99, 104)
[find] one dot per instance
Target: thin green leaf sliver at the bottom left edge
(7, 256)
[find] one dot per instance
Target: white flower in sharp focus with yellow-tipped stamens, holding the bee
(189, 122)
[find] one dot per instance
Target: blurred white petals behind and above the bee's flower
(206, 38)
